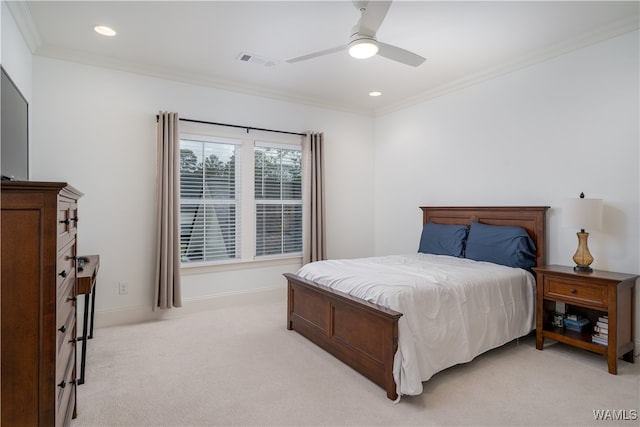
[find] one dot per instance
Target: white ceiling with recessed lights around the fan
(200, 42)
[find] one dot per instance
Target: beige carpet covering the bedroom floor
(240, 366)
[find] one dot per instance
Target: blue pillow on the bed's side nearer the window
(443, 239)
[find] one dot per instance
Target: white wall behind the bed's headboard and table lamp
(532, 137)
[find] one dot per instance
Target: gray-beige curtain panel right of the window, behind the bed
(314, 234)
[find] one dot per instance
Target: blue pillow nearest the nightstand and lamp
(506, 245)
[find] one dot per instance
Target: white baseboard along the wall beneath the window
(131, 315)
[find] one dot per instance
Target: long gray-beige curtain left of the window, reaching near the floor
(167, 278)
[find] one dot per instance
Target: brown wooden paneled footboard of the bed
(361, 334)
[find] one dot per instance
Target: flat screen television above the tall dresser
(14, 132)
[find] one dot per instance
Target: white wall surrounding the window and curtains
(95, 128)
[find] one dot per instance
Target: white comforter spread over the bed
(453, 308)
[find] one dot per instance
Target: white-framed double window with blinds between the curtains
(235, 208)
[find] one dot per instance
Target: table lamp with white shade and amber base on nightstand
(584, 214)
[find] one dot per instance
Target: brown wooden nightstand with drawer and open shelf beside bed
(592, 296)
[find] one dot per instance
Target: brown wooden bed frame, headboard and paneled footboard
(365, 335)
